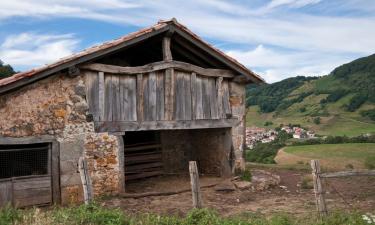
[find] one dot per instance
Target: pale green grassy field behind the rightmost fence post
(331, 156)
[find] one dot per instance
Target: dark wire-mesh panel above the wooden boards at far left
(23, 160)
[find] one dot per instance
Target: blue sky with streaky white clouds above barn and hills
(275, 38)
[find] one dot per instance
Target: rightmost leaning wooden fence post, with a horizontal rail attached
(318, 189)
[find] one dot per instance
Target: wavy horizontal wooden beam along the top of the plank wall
(152, 67)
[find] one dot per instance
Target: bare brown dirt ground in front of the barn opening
(345, 193)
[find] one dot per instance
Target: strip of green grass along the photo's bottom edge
(94, 214)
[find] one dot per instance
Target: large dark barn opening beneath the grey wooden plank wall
(168, 152)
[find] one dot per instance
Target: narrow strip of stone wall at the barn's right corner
(237, 100)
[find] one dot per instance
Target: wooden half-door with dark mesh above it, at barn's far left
(25, 175)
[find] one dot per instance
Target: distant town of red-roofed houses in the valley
(256, 135)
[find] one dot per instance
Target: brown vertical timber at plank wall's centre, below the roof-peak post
(169, 94)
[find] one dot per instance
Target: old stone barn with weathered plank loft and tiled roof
(140, 106)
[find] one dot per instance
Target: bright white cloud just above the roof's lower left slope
(31, 49)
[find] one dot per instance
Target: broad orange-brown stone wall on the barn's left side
(57, 106)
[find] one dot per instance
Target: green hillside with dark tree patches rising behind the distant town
(341, 103)
